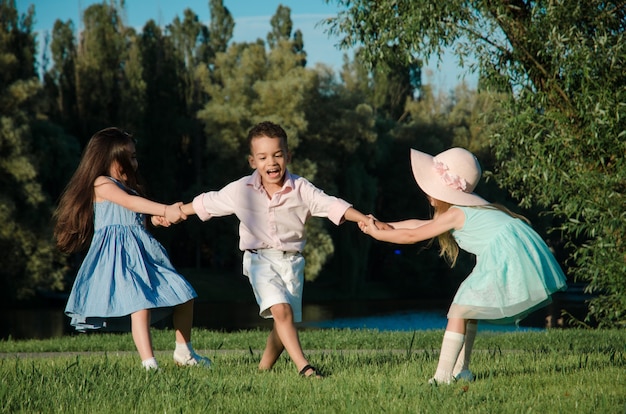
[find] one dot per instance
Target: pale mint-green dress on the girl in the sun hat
(515, 271)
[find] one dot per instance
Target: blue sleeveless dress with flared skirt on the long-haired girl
(125, 270)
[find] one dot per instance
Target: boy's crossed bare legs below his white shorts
(286, 333)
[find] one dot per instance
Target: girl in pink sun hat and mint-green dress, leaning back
(515, 272)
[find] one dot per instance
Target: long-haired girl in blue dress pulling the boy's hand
(126, 275)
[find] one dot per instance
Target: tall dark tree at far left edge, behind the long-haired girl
(29, 259)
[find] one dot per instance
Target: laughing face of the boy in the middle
(270, 159)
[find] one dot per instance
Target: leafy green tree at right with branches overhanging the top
(559, 140)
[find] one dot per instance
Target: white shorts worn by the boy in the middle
(275, 277)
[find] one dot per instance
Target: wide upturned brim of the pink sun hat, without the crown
(429, 181)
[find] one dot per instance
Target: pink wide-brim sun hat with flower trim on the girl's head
(450, 176)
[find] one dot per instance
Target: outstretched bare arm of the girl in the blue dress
(106, 189)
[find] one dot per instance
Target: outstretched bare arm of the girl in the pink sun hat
(454, 218)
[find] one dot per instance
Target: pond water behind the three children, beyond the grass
(50, 321)
